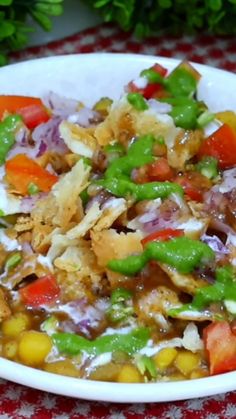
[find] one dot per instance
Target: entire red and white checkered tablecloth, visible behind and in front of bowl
(19, 402)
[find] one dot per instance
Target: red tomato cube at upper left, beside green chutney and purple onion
(34, 115)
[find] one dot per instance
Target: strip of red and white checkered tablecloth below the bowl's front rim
(18, 402)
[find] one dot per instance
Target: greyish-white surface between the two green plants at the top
(77, 17)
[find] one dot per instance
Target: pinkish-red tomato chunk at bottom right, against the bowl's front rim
(220, 345)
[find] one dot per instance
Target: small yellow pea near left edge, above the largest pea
(15, 324)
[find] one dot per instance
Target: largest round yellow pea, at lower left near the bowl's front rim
(34, 347)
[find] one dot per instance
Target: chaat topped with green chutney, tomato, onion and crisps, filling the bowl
(118, 233)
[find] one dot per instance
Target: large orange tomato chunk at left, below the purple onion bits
(21, 171)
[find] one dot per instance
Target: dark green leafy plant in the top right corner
(176, 16)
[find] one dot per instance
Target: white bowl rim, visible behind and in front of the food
(88, 77)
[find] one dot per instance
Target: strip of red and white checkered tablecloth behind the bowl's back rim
(206, 49)
